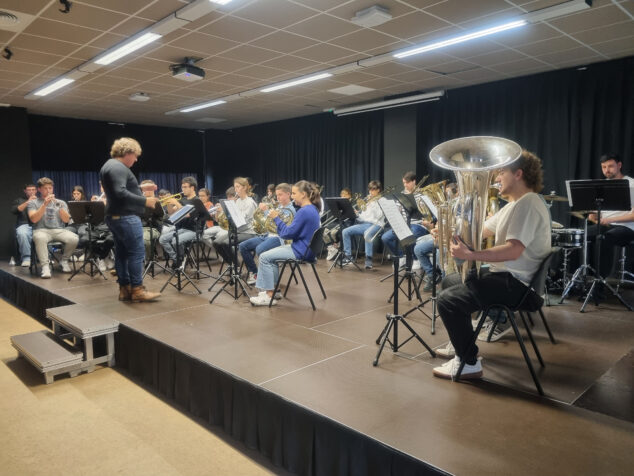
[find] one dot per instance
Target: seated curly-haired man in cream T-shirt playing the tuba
(522, 241)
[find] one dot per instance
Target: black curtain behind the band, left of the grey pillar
(334, 152)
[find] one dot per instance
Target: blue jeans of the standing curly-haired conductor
(127, 232)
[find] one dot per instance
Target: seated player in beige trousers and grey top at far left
(50, 217)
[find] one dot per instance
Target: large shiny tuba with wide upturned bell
(473, 160)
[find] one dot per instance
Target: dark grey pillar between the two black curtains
(399, 142)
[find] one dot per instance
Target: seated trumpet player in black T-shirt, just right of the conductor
(186, 228)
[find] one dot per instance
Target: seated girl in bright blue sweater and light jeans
(301, 231)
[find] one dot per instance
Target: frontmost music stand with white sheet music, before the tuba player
(393, 319)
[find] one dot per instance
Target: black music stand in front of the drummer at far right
(599, 195)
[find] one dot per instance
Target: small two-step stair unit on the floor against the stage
(70, 347)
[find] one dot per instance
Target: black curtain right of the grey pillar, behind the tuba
(568, 118)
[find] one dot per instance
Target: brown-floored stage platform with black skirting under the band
(299, 385)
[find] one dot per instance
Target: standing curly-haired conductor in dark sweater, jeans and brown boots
(124, 206)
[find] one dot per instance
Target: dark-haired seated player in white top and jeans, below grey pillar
(368, 224)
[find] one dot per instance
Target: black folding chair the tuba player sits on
(531, 301)
